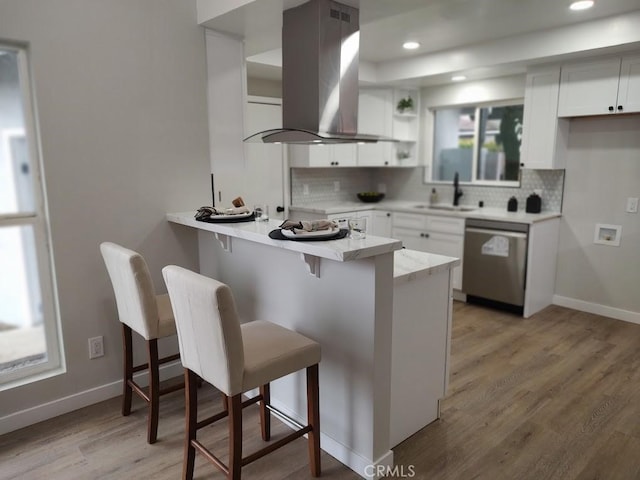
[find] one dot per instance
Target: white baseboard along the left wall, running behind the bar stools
(60, 406)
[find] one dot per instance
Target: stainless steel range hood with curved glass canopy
(320, 45)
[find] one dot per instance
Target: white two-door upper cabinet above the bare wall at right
(603, 87)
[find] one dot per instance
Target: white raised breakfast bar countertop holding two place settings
(342, 250)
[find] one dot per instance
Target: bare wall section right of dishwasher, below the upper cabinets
(603, 169)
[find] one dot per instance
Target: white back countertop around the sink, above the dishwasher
(408, 206)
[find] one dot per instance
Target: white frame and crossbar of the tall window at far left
(39, 221)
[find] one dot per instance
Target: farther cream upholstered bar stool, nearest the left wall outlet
(151, 316)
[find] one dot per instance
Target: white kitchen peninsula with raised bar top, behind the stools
(341, 294)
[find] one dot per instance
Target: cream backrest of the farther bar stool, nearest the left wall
(133, 288)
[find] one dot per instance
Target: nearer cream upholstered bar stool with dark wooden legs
(236, 358)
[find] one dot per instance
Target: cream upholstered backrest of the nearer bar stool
(208, 327)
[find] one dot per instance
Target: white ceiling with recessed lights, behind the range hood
(444, 28)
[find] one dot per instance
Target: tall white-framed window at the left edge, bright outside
(30, 346)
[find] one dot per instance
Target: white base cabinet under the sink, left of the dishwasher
(433, 234)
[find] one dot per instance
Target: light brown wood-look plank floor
(555, 396)
